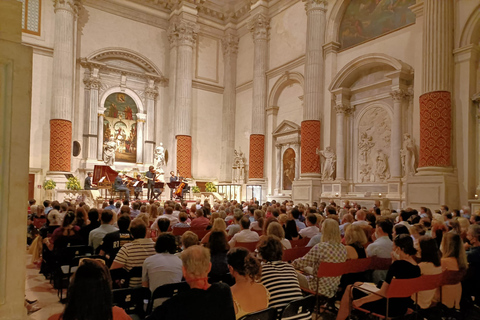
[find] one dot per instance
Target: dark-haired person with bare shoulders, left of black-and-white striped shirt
(248, 295)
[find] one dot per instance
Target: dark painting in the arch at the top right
(367, 19)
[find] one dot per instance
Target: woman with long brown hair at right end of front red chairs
(453, 259)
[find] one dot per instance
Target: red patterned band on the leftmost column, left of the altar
(60, 145)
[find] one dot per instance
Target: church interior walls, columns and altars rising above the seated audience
(301, 101)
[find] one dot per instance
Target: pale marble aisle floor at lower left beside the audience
(38, 288)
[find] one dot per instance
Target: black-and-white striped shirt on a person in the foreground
(281, 281)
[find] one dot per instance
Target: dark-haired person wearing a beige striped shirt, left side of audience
(134, 253)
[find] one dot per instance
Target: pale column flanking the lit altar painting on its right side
(150, 95)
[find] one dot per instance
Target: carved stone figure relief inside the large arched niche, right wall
(373, 148)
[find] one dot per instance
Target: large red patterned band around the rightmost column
(435, 129)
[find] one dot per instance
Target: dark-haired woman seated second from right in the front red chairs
(429, 265)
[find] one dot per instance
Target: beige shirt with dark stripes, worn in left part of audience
(133, 254)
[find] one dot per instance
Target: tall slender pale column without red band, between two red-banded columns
(230, 50)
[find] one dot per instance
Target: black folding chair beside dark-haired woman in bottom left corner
(132, 300)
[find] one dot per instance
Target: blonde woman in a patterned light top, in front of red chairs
(330, 249)
